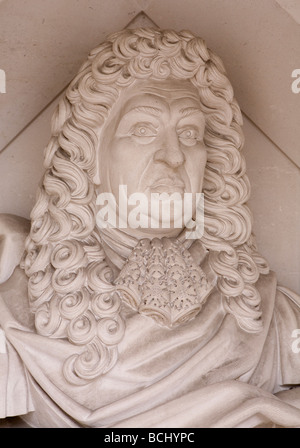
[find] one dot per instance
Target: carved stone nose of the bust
(170, 152)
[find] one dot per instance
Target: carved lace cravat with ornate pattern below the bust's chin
(161, 280)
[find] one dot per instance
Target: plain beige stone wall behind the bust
(41, 52)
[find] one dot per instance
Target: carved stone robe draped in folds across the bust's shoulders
(207, 372)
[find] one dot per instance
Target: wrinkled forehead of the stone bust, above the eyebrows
(160, 94)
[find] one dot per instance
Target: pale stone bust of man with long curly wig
(138, 325)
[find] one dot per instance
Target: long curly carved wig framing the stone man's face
(70, 285)
